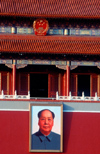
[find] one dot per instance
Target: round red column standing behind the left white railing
(14, 77)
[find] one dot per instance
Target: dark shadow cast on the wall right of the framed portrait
(67, 118)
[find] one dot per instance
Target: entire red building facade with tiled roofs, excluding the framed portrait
(58, 62)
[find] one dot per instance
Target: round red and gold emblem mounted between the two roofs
(40, 26)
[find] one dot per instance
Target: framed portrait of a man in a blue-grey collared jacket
(46, 131)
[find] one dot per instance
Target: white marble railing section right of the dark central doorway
(80, 98)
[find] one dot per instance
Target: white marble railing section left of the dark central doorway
(2, 96)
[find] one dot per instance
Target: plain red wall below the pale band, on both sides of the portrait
(81, 132)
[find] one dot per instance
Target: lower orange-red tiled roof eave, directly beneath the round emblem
(50, 44)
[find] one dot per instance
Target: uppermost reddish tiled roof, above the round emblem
(51, 8)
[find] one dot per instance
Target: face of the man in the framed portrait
(45, 122)
